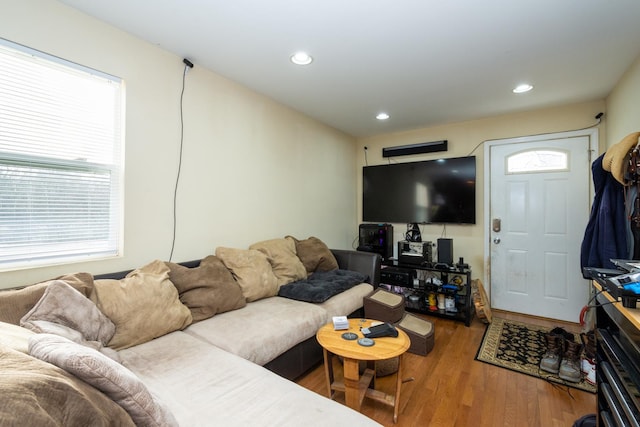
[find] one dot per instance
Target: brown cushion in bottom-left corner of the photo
(35, 393)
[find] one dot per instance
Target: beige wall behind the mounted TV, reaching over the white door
(465, 138)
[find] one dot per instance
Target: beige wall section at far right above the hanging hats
(623, 105)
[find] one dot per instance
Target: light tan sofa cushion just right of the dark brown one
(252, 271)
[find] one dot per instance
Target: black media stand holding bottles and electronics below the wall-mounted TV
(435, 289)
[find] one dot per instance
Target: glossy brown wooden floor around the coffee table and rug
(450, 388)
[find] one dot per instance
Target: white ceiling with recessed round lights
(424, 62)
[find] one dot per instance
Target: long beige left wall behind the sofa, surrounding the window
(252, 169)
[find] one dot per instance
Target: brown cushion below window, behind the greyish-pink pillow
(15, 303)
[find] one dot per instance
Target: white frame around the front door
(591, 133)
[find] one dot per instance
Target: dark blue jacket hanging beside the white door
(606, 234)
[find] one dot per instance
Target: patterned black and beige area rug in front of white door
(519, 346)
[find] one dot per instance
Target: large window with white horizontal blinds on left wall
(60, 162)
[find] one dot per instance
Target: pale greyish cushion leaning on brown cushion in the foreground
(113, 379)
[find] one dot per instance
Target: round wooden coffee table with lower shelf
(356, 387)
